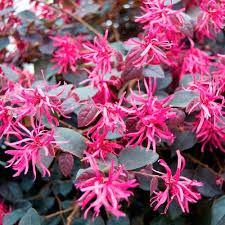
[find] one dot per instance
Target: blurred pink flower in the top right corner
(211, 20)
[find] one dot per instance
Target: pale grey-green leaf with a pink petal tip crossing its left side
(76, 142)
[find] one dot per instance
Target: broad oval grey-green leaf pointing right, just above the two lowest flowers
(136, 158)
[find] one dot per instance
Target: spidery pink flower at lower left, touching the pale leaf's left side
(28, 148)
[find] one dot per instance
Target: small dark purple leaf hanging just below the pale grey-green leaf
(66, 162)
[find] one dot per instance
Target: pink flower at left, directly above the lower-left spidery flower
(38, 102)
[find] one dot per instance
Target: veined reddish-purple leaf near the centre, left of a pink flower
(87, 115)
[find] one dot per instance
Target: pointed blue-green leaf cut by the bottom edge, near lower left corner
(30, 218)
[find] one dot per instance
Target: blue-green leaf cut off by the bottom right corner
(218, 211)
